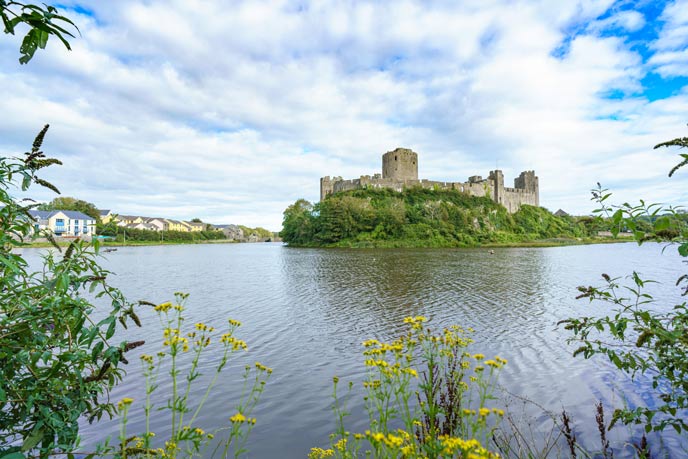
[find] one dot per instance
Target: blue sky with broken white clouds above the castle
(231, 111)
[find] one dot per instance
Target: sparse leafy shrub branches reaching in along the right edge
(642, 337)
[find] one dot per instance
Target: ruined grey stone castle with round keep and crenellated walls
(400, 170)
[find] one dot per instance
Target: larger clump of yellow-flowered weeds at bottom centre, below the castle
(426, 397)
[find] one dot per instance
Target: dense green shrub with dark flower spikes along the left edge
(57, 362)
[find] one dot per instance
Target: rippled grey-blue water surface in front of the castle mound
(306, 311)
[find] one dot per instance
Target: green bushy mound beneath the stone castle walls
(419, 217)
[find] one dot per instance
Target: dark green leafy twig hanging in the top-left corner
(43, 21)
